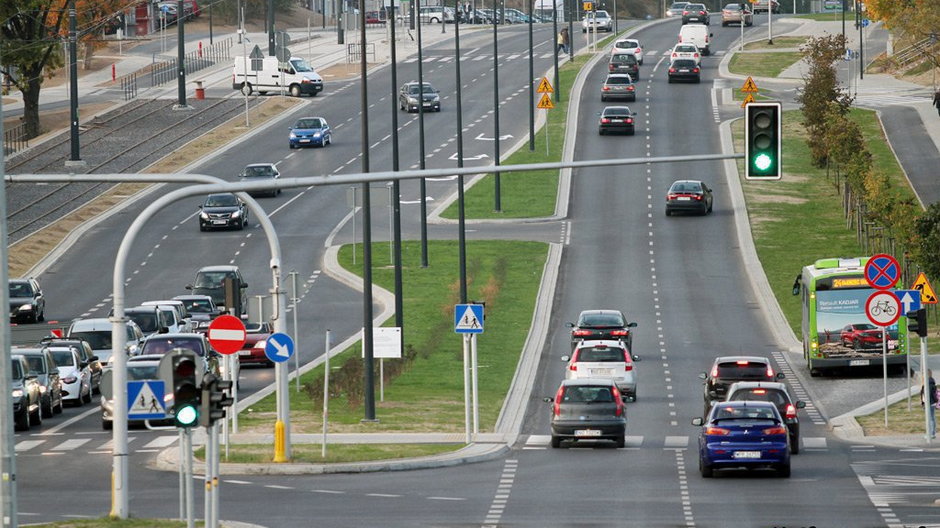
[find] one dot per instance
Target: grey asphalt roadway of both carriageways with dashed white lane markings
(680, 278)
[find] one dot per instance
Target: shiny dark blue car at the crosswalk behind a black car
(743, 434)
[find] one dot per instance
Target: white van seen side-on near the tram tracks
(266, 74)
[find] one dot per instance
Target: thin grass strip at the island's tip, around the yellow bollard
(335, 453)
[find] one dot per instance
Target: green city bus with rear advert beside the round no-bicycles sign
(836, 330)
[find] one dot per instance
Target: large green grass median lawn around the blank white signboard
(428, 395)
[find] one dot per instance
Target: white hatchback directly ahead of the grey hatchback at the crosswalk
(604, 359)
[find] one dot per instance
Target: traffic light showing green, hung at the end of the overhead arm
(763, 131)
